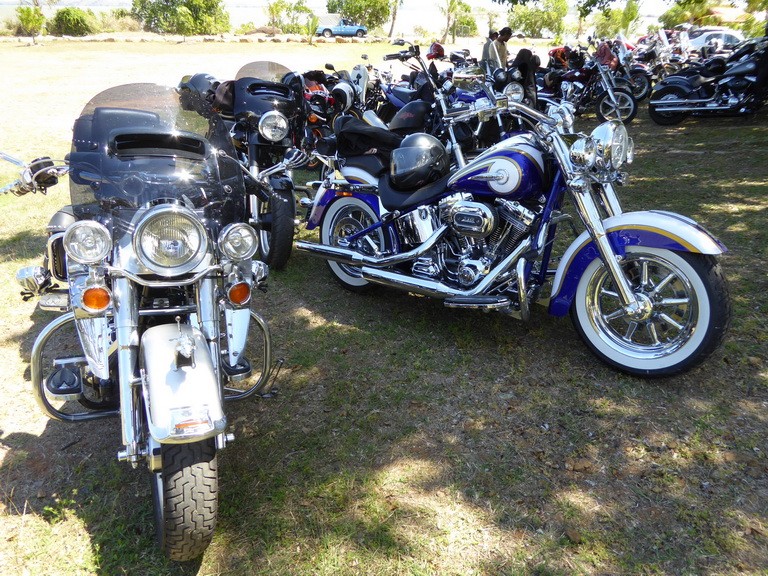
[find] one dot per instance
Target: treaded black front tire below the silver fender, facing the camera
(186, 501)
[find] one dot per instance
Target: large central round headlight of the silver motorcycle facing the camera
(170, 240)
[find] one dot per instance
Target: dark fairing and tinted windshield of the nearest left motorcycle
(134, 146)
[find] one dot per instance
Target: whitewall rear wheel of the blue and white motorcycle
(344, 218)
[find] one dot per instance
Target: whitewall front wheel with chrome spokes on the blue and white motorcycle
(687, 318)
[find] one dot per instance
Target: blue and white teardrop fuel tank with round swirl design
(513, 169)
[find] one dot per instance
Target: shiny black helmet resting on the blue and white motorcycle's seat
(419, 160)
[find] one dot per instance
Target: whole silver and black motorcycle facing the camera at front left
(152, 266)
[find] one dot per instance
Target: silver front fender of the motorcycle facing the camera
(183, 402)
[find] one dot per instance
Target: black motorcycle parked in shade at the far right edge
(741, 89)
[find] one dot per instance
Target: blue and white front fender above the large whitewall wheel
(653, 228)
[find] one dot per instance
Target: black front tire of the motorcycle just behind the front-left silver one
(276, 229)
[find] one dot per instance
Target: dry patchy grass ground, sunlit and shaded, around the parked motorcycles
(408, 438)
